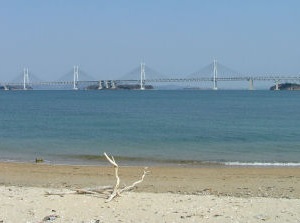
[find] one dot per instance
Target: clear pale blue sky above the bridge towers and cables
(109, 38)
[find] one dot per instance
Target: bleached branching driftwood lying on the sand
(109, 192)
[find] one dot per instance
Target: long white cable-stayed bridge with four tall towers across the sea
(143, 76)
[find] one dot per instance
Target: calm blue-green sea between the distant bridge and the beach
(156, 127)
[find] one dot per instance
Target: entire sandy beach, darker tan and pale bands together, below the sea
(168, 194)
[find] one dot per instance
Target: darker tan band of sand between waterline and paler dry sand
(277, 182)
